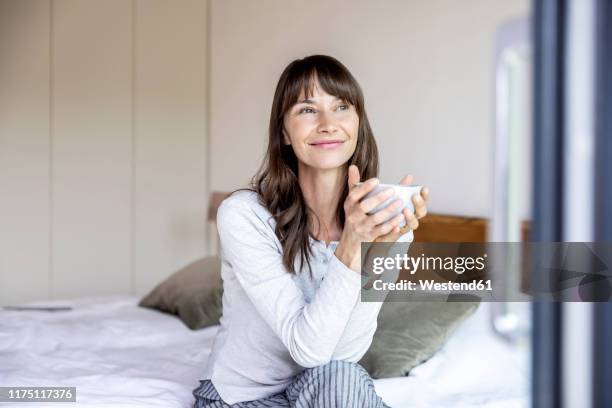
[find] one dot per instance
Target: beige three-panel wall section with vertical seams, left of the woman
(102, 145)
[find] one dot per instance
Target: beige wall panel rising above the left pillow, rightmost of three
(170, 138)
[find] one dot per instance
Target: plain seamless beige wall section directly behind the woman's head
(426, 68)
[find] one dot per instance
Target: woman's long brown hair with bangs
(276, 181)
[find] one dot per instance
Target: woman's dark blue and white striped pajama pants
(338, 384)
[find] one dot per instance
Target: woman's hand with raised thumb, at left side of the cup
(359, 226)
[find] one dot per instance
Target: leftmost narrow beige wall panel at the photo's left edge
(24, 150)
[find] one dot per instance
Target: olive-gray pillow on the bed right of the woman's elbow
(409, 333)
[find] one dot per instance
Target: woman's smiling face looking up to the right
(322, 130)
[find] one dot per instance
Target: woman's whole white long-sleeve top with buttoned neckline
(276, 323)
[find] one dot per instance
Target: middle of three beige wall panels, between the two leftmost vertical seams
(92, 147)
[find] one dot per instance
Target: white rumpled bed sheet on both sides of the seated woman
(120, 355)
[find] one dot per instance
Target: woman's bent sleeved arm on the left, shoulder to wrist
(309, 331)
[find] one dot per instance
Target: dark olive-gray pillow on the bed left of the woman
(193, 293)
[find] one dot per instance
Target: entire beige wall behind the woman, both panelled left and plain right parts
(109, 110)
